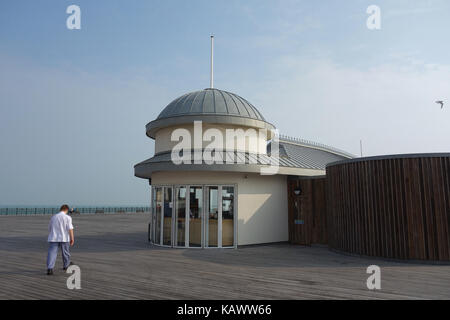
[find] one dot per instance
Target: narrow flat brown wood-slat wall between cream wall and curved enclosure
(310, 207)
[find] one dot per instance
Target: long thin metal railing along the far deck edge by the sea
(81, 210)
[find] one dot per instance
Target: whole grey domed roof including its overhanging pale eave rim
(210, 106)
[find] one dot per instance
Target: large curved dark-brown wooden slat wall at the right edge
(390, 207)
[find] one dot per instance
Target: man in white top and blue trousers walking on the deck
(60, 235)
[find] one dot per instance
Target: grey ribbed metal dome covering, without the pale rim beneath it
(211, 101)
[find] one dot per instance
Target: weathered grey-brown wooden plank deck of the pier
(117, 262)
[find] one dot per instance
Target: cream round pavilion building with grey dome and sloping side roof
(229, 201)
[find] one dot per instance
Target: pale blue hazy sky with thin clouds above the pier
(74, 103)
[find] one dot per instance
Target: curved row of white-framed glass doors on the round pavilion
(193, 216)
